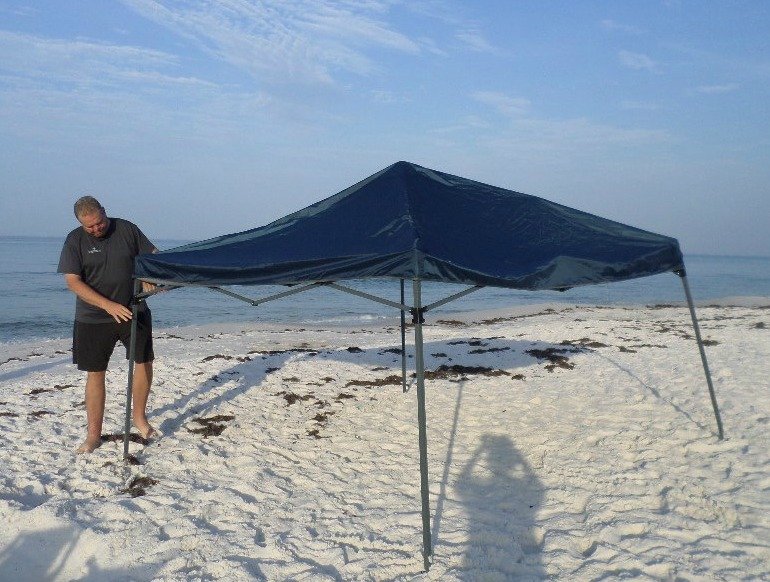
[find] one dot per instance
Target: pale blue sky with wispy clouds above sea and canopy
(199, 118)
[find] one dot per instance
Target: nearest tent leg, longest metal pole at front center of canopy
(427, 550)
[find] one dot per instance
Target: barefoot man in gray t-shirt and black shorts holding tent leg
(98, 264)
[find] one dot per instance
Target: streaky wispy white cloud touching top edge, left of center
(307, 41)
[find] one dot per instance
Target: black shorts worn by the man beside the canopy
(92, 343)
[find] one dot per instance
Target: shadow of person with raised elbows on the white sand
(501, 496)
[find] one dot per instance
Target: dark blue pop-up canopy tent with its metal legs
(411, 222)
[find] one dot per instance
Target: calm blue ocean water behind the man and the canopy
(35, 303)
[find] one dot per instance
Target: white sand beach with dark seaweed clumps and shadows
(578, 443)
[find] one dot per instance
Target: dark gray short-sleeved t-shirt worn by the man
(105, 264)
